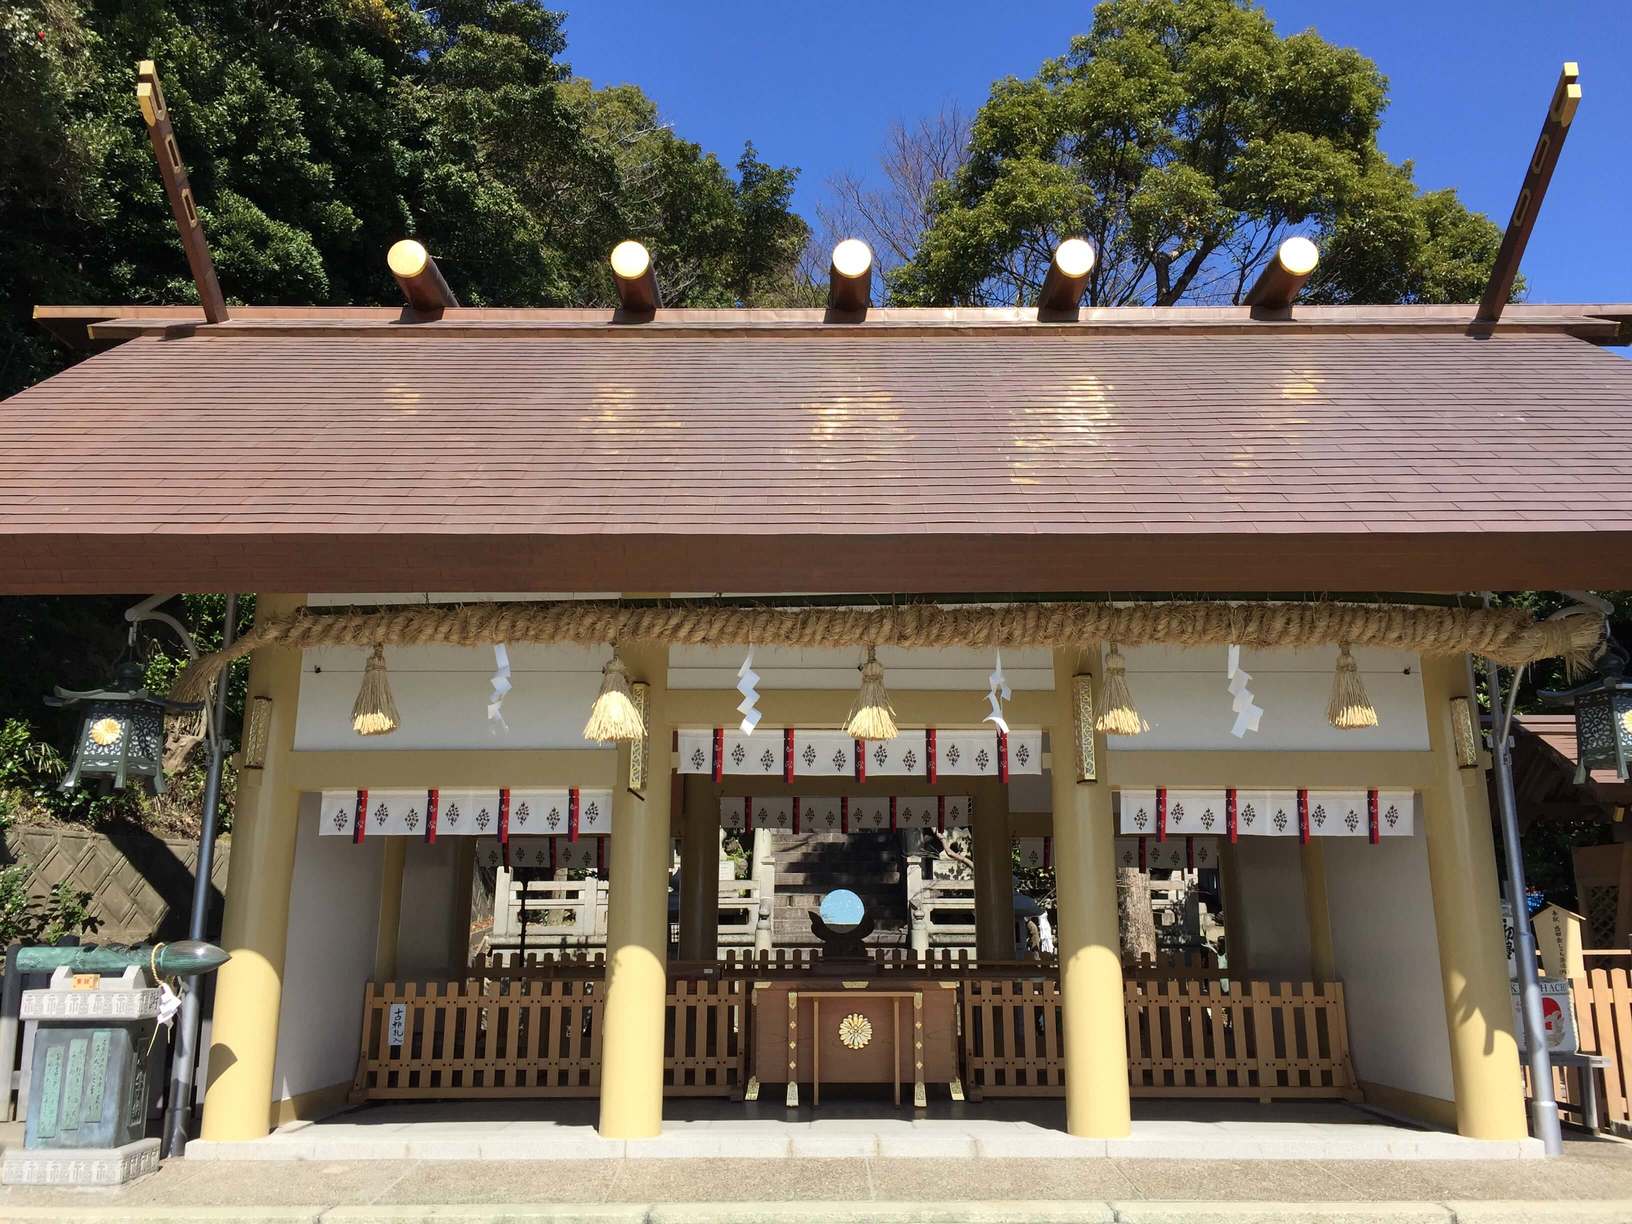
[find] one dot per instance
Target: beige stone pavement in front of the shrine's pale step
(1592, 1184)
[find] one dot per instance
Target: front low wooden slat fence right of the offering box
(1186, 1039)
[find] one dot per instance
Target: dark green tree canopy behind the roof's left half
(321, 131)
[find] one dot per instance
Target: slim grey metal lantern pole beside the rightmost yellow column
(1545, 1111)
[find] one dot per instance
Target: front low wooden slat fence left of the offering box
(530, 1037)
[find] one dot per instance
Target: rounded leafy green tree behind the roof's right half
(1187, 140)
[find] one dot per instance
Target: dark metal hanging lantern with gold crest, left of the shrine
(122, 732)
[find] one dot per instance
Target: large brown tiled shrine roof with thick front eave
(970, 461)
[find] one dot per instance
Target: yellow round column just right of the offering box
(1091, 982)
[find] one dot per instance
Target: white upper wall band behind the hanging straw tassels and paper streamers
(443, 691)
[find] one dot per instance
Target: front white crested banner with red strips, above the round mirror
(926, 755)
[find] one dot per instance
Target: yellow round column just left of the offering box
(639, 923)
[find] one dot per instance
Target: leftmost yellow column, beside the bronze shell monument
(255, 928)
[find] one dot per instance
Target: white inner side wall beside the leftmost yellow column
(334, 918)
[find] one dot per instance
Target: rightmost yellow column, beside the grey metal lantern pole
(1473, 962)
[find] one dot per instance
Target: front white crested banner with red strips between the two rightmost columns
(1164, 814)
